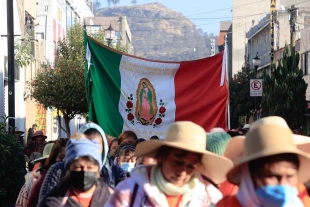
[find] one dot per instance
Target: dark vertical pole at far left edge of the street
(11, 75)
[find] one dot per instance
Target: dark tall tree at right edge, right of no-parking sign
(285, 90)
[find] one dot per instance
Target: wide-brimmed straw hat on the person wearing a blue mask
(267, 136)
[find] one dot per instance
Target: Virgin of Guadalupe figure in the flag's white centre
(146, 102)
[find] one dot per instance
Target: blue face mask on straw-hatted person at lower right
(277, 195)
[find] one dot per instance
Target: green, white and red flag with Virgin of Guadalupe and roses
(125, 92)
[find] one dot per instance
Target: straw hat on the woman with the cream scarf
(186, 135)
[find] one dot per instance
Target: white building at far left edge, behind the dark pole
(22, 15)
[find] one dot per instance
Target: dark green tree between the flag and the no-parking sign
(241, 103)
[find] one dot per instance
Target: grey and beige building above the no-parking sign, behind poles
(259, 41)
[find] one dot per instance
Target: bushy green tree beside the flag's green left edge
(61, 85)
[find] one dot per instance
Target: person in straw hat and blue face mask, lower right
(269, 169)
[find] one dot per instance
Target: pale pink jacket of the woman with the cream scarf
(123, 193)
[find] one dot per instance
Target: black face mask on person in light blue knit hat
(83, 180)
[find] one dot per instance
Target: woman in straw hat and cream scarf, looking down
(174, 181)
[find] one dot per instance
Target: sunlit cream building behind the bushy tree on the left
(53, 18)
